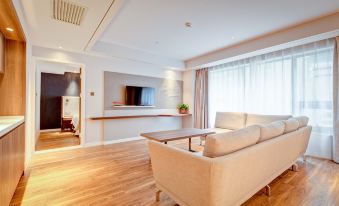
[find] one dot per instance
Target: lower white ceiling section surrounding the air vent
(47, 32)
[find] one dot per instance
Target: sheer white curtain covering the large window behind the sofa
(295, 81)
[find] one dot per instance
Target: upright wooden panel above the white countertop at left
(13, 81)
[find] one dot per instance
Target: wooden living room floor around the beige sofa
(120, 174)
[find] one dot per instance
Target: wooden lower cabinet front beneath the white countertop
(12, 161)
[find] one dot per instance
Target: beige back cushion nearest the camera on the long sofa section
(224, 143)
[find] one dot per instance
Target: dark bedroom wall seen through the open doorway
(53, 86)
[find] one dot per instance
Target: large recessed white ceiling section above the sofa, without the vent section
(157, 26)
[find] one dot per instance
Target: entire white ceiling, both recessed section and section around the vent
(153, 31)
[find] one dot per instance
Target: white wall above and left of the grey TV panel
(94, 67)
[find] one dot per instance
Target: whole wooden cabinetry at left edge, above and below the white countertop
(12, 100)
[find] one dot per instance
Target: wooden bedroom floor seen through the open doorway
(53, 140)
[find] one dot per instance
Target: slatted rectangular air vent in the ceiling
(67, 11)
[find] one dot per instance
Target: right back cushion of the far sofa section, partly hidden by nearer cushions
(264, 119)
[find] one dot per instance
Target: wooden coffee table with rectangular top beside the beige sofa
(172, 135)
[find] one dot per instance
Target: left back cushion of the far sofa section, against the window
(230, 120)
